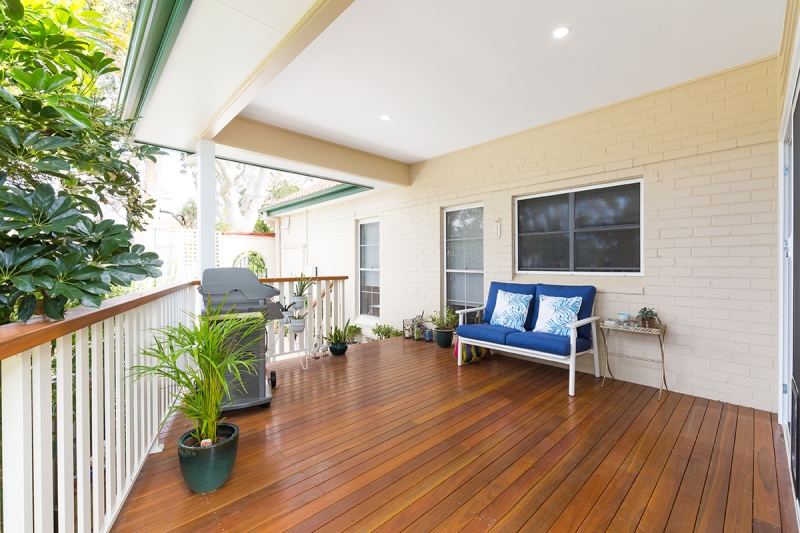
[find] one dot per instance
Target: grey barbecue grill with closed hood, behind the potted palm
(237, 291)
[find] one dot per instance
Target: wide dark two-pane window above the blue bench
(586, 230)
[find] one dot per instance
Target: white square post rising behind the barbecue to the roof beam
(206, 205)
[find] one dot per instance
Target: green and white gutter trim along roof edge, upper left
(155, 30)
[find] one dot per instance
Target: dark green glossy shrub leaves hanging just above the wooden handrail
(53, 252)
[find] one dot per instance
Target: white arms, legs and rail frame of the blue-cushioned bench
(569, 360)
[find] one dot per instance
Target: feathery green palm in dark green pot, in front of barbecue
(200, 358)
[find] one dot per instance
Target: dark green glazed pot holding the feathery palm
(207, 469)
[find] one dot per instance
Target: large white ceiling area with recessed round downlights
(455, 73)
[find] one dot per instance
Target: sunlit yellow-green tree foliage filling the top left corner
(55, 125)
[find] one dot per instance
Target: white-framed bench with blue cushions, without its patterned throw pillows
(532, 344)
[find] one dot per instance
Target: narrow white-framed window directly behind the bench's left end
(464, 257)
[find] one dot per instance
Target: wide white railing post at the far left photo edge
(17, 445)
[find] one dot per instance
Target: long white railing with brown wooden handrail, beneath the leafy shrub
(102, 422)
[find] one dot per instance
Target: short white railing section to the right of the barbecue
(325, 305)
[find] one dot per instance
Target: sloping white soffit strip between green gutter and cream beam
(221, 43)
